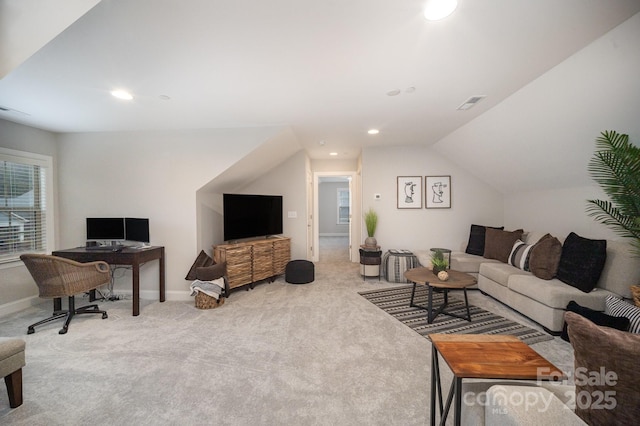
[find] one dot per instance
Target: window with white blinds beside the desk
(23, 204)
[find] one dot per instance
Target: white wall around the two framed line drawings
(472, 201)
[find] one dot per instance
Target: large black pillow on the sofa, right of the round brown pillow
(581, 262)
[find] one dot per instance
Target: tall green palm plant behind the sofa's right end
(615, 166)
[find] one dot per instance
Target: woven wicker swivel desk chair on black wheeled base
(57, 277)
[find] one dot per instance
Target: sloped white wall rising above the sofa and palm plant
(535, 146)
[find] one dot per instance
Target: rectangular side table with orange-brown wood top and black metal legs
(479, 356)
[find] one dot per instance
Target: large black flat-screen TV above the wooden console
(246, 216)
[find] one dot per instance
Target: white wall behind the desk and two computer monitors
(146, 174)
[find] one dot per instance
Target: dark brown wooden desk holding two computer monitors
(127, 256)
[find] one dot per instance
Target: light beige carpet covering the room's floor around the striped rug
(280, 354)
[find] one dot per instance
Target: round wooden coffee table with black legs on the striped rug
(457, 281)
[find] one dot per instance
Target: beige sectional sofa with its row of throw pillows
(540, 276)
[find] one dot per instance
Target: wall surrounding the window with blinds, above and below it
(17, 288)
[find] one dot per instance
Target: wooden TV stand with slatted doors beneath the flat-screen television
(251, 261)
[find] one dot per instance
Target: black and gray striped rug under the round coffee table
(395, 301)
